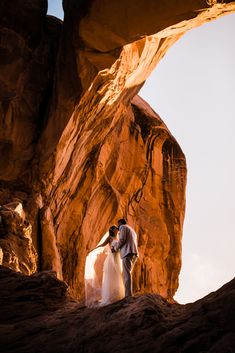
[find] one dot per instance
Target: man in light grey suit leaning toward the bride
(128, 250)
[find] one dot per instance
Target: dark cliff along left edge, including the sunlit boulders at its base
(28, 47)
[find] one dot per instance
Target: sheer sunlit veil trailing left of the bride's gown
(94, 273)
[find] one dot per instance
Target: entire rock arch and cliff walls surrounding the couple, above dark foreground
(77, 144)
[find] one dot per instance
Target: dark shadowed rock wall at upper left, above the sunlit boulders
(28, 46)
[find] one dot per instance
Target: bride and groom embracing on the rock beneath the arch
(108, 271)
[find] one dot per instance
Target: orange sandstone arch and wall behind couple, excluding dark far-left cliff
(112, 156)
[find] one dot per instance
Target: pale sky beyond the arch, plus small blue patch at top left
(193, 90)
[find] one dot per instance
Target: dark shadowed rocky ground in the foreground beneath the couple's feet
(38, 316)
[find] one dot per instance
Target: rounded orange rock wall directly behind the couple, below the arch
(138, 171)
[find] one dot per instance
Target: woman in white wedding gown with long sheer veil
(103, 272)
